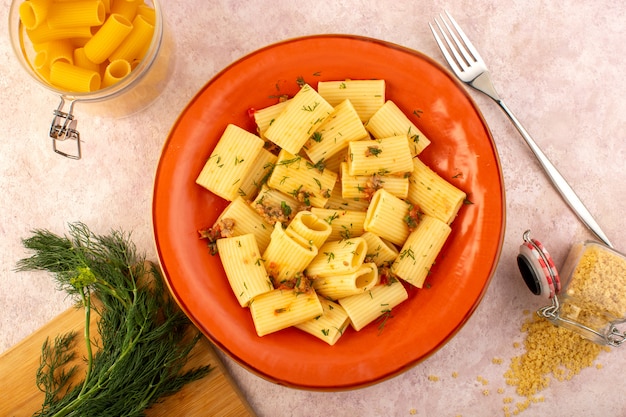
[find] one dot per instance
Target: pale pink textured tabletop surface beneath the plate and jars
(558, 67)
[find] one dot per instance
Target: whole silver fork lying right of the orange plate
(470, 68)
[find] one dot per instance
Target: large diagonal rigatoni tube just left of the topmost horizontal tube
(301, 117)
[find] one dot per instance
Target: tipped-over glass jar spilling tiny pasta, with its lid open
(588, 296)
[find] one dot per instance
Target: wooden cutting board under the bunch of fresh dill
(214, 395)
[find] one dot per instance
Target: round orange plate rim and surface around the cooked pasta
(462, 151)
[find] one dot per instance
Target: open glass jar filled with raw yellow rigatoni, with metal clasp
(112, 55)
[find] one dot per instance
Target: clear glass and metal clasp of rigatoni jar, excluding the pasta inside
(127, 96)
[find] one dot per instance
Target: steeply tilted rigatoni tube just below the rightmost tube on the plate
(420, 250)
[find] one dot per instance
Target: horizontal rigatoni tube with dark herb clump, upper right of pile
(381, 156)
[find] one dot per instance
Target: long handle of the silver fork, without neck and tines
(559, 182)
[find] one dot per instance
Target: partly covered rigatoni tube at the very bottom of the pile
(330, 325)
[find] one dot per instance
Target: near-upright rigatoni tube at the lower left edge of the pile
(244, 267)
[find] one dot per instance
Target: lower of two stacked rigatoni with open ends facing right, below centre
(338, 286)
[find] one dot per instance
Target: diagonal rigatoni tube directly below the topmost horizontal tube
(340, 127)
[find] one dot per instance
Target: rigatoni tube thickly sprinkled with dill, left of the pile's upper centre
(297, 176)
